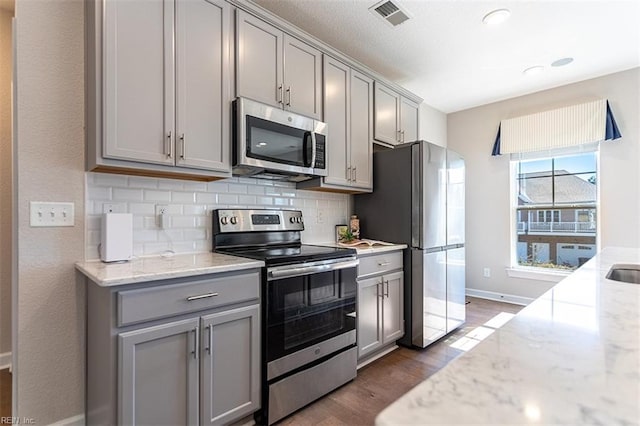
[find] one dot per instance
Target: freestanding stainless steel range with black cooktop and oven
(308, 307)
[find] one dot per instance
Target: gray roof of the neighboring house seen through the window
(537, 187)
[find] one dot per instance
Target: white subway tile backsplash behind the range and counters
(189, 209)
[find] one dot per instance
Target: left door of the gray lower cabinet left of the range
(159, 375)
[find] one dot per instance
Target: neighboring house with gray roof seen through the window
(561, 231)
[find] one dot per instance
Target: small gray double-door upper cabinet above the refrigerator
(396, 117)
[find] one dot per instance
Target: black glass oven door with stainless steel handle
(310, 313)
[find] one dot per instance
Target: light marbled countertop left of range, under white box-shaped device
(151, 268)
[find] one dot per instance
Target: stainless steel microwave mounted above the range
(272, 143)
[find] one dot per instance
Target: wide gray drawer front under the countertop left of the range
(163, 301)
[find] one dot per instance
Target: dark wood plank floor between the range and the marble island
(385, 380)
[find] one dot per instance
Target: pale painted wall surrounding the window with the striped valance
(472, 133)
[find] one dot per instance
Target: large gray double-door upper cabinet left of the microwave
(159, 86)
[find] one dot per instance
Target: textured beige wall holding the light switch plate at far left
(50, 149)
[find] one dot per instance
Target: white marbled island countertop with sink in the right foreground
(571, 357)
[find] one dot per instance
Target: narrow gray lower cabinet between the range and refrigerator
(380, 303)
